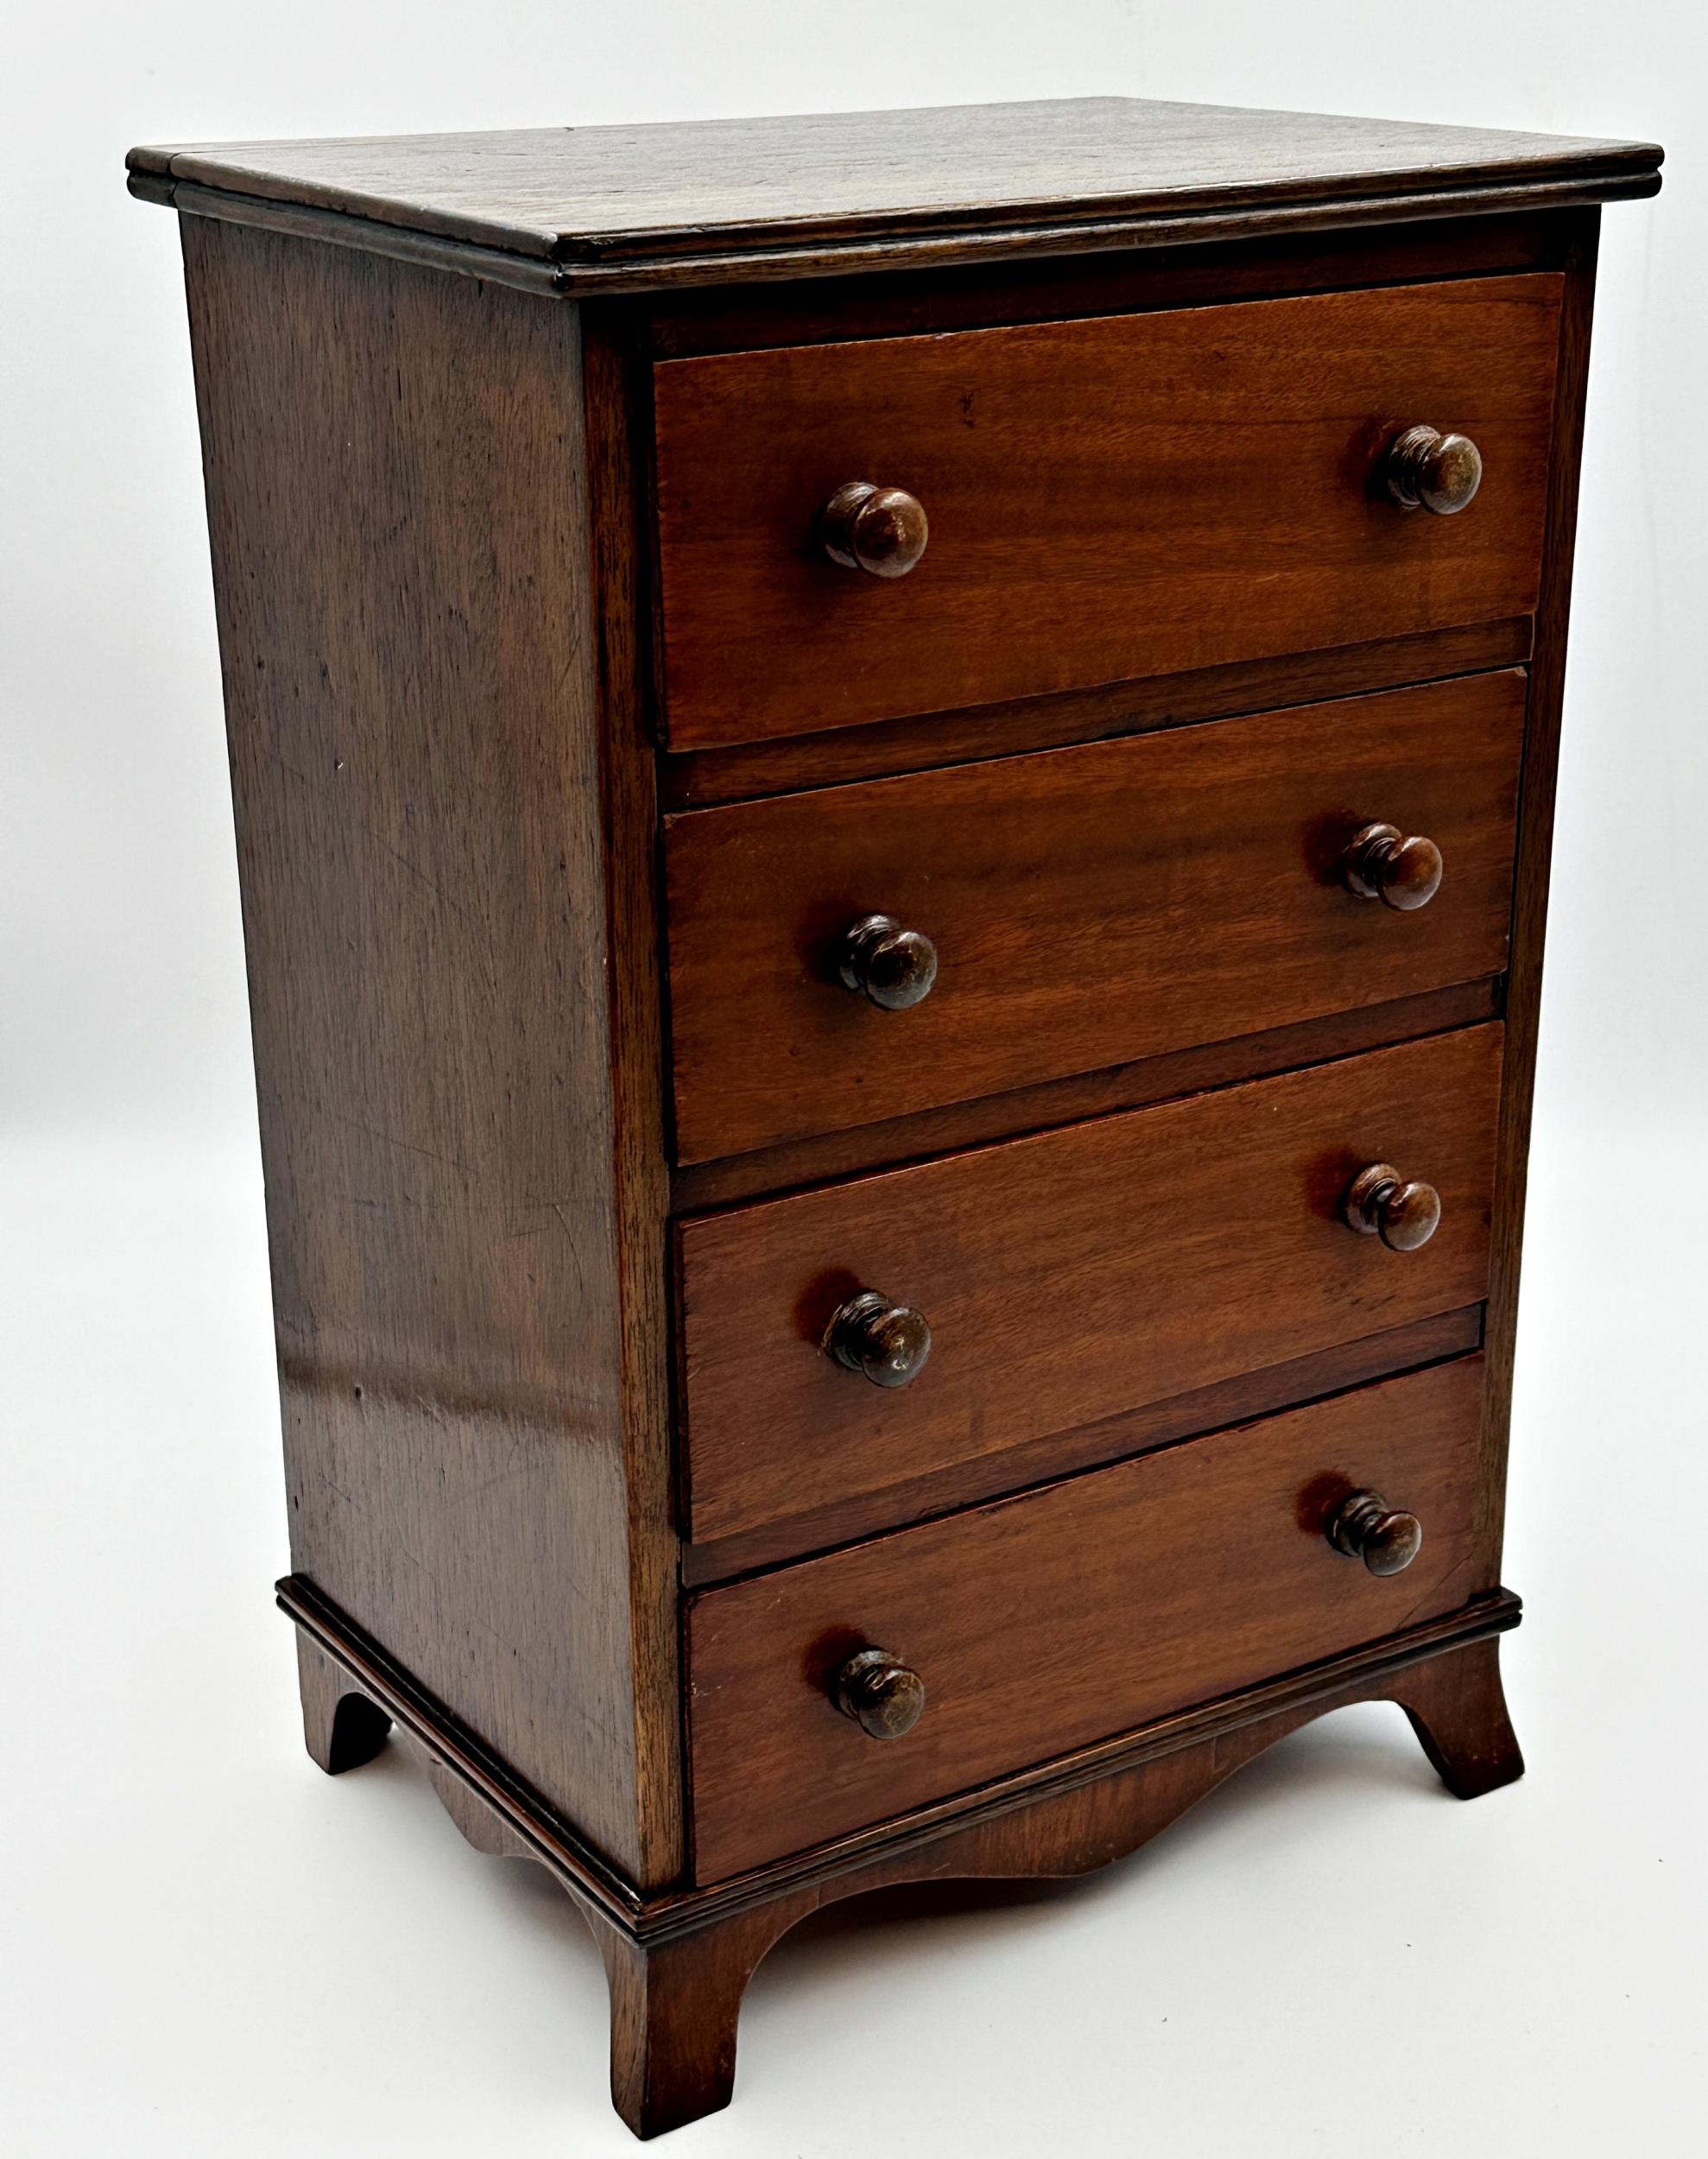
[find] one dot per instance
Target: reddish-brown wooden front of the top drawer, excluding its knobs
(1107, 500)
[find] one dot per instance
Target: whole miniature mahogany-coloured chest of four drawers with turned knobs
(893, 791)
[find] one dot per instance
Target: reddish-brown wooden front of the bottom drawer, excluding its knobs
(1072, 1614)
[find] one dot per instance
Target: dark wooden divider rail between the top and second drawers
(694, 780)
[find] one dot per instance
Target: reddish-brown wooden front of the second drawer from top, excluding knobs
(1085, 906)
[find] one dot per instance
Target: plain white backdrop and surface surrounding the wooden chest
(211, 1948)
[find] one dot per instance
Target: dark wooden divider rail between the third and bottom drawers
(1059, 1454)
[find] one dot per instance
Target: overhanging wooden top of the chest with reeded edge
(632, 208)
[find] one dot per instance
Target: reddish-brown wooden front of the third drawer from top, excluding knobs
(1074, 1275)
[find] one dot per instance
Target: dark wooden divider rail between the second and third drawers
(1063, 1102)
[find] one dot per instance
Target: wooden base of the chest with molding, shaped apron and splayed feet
(679, 1961)
